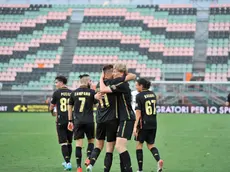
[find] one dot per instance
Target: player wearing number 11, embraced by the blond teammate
(107, 119)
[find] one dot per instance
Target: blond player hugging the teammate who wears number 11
(125, 113)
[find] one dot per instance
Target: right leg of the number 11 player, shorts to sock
(111, 134)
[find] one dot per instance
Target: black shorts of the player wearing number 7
(80, 130)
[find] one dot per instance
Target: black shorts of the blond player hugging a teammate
(125, 129)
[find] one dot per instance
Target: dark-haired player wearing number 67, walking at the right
(146, 122)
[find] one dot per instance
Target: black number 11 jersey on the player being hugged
(108, 106)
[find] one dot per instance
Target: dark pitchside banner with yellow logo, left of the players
(24, 108)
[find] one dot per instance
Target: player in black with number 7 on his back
(82, 100)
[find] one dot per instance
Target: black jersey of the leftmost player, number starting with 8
(60, 99)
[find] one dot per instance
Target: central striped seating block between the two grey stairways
(152, 40)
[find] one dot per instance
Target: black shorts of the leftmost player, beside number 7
(64, 135)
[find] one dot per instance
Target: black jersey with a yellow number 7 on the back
(83, 100)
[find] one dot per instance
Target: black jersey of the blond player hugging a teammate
(124, 98)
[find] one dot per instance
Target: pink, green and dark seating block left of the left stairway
(31, 44)
